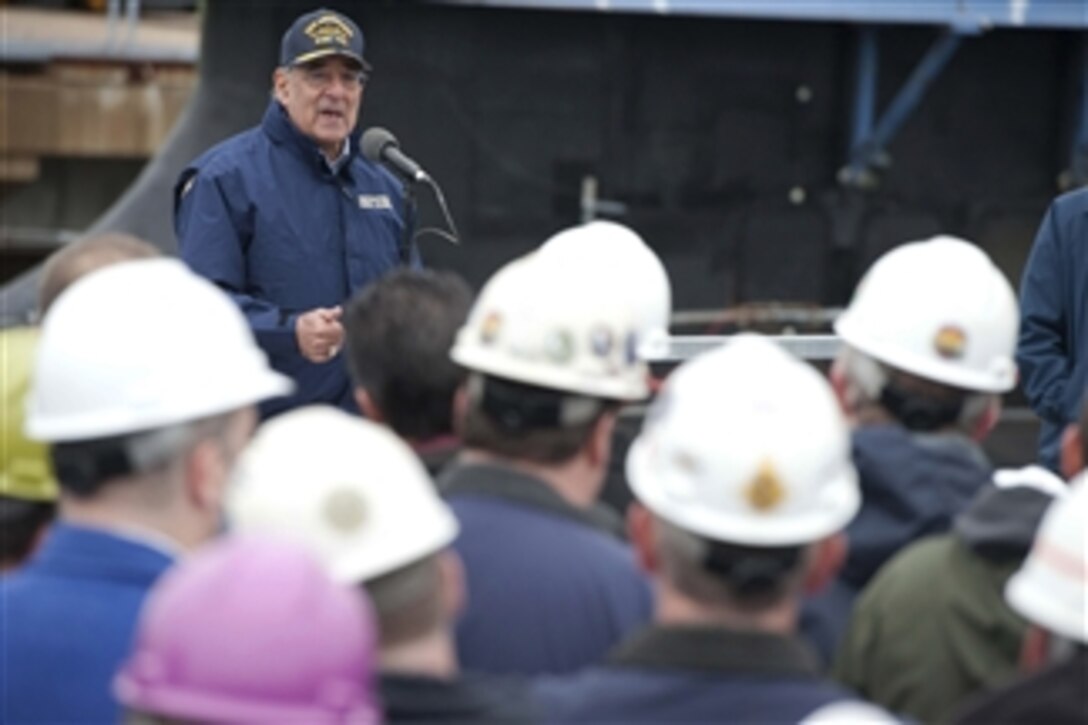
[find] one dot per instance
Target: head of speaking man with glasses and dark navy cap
(322, 77)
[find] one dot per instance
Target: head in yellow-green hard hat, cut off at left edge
(28, 486)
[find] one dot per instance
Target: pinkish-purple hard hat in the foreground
(252, 631)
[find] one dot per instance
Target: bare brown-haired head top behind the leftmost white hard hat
(85, 256)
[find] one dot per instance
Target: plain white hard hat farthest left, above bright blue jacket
(141, 346)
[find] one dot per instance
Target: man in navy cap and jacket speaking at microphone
(289, 217)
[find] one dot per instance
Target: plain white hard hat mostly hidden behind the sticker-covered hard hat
(615, 255)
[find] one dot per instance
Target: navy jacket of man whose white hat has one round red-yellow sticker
(913, 485)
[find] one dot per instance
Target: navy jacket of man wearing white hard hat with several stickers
(549, 592)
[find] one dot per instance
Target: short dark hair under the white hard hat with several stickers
(518, 421)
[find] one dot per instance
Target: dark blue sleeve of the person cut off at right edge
(1043, 352)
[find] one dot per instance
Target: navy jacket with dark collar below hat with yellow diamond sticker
(696, 675)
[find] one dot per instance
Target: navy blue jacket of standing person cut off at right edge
(1053, 352)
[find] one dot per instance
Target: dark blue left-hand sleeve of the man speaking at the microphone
(213, 238)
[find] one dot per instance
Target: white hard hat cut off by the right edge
(1052, 588)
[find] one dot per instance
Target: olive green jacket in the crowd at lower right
(932, 630)
